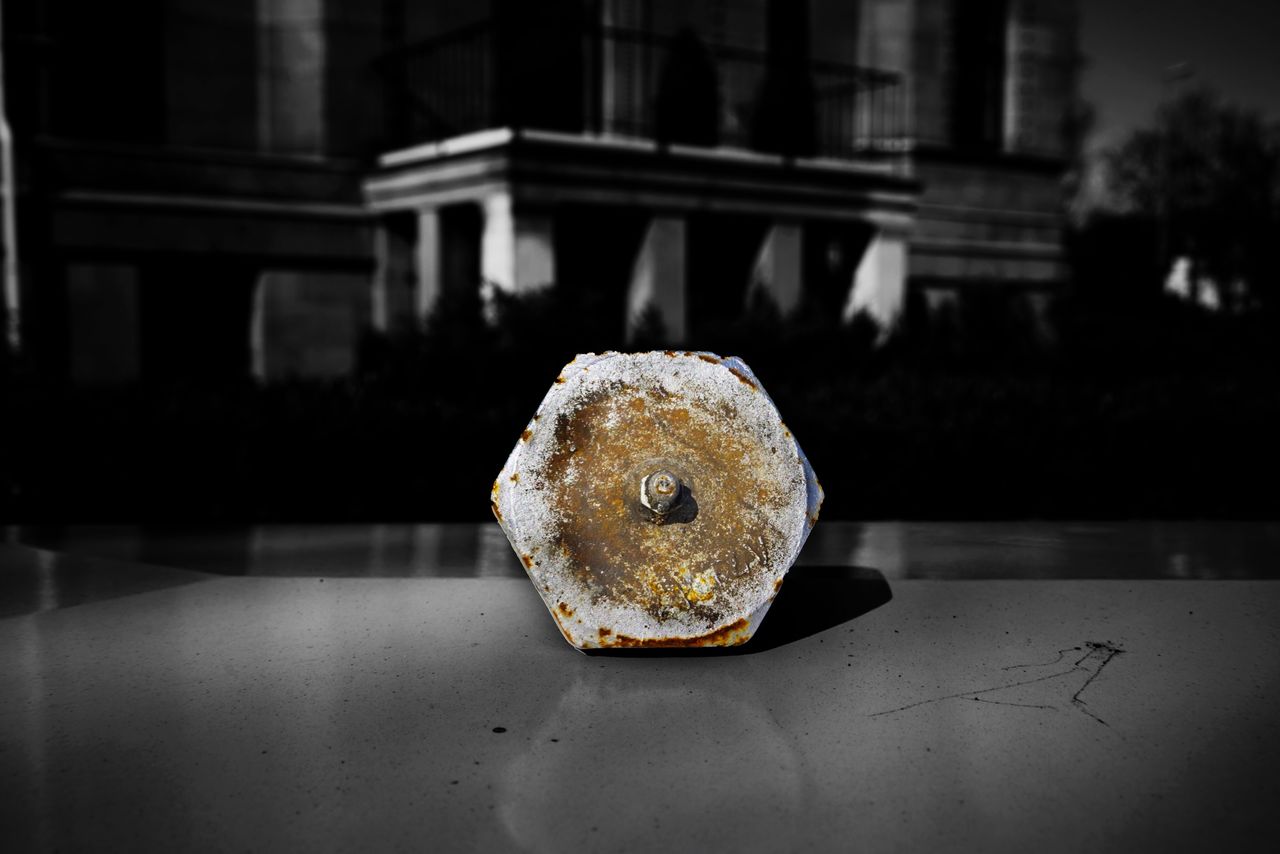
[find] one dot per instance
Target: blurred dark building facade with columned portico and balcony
(241, 188)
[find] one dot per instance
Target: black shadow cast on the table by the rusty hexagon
(812, 601)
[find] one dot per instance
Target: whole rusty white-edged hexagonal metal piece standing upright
(657, 500)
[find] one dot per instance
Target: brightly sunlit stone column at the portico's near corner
(518, 248)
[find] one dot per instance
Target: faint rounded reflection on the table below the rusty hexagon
(612, 768)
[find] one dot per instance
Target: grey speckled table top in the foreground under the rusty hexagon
(191, 711)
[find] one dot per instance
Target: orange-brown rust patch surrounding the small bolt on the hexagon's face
(609, 441)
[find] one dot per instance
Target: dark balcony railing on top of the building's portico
(644, 86)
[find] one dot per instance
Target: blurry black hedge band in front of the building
(1154, 412)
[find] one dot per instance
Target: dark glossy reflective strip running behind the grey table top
(898, 550)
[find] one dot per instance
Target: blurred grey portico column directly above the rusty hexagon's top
(659, 280)
